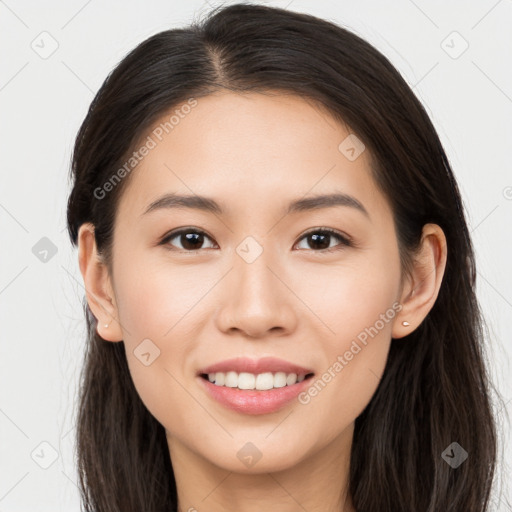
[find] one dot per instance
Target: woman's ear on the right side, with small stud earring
(422, 287)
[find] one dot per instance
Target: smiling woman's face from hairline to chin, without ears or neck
(263, 281)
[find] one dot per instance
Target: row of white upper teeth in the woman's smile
(260, 382)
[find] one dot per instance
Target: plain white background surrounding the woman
(42, 103)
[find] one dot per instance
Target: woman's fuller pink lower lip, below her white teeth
(252, 401)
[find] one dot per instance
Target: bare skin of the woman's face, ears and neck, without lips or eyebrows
(254, 154)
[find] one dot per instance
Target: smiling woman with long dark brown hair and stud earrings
(280, 281)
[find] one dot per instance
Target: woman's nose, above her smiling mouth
(256, 300)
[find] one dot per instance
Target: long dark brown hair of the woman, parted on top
(435, 389)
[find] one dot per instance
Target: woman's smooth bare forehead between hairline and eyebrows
(248, 149)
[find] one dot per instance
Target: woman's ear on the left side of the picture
(99, 292)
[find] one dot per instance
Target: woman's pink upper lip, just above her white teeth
(263, 365)
